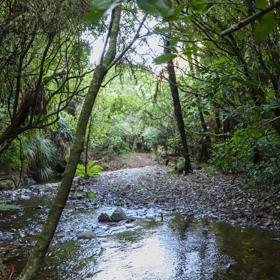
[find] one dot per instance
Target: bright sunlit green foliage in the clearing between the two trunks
(122, 113)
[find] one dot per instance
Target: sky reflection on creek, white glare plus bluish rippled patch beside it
(165, 253)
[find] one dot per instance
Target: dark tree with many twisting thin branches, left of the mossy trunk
(43, 64)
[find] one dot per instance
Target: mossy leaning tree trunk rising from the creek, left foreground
(39, 250)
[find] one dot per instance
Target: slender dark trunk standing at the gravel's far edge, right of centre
(178, 109)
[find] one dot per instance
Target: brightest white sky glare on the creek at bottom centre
(147, 259)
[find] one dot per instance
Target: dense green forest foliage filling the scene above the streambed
(227, 68)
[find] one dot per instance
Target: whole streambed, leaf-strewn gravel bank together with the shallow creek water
(182, 228)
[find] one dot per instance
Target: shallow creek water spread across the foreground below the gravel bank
(175, 248)
